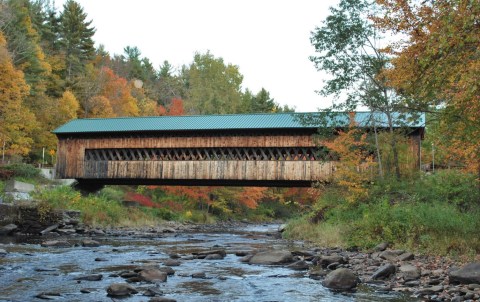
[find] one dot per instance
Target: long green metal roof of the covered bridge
(225, 122)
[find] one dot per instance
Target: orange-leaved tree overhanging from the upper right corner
(437, 66)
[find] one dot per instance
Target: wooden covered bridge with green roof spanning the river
(232, 150)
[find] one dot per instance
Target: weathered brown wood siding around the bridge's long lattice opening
(71, 163)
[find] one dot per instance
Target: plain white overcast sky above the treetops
(268, 39)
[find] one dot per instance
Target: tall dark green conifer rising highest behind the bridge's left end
(76, 39)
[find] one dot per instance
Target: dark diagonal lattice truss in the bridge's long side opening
(176, 154)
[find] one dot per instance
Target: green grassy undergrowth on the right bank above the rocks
(434, 214)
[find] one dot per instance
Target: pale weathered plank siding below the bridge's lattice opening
(210, 170)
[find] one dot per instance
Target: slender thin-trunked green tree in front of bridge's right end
(348, 48)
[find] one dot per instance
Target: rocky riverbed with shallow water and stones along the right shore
(224, 262)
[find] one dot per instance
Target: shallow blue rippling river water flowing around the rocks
(29, 269)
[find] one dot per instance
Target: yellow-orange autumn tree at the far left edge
(16, 121)
